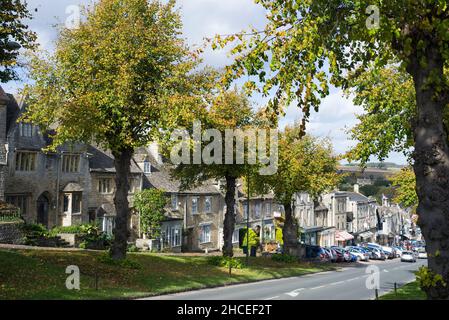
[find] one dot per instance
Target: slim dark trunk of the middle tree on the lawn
(229, 220)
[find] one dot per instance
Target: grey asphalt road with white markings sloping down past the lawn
(348, 283)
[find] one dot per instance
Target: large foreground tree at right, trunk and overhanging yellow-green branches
(307, 45)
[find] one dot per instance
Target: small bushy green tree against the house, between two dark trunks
(150, 204)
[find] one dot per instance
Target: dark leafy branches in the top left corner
(13, 29)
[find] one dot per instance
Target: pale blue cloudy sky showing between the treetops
(205, 18)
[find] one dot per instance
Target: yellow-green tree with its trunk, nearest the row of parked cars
(305, 164)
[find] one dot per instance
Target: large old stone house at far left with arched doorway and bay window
(70, 186)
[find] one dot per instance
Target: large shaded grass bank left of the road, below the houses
(40, 274)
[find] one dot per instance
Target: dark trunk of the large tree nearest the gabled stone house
(121, 233)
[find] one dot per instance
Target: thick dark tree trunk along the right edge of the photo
(431, 167)
